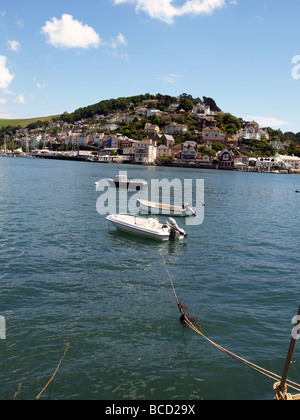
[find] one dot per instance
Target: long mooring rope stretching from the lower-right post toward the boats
(185, 319)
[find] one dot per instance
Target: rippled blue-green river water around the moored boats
(67, 275)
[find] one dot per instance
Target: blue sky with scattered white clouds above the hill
(69, 54)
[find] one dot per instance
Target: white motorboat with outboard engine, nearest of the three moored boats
(148, 227)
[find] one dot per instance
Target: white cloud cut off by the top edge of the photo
(166, 11)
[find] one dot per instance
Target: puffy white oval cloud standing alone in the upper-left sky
(68, 32)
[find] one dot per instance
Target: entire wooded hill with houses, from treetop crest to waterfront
(160, 130)
